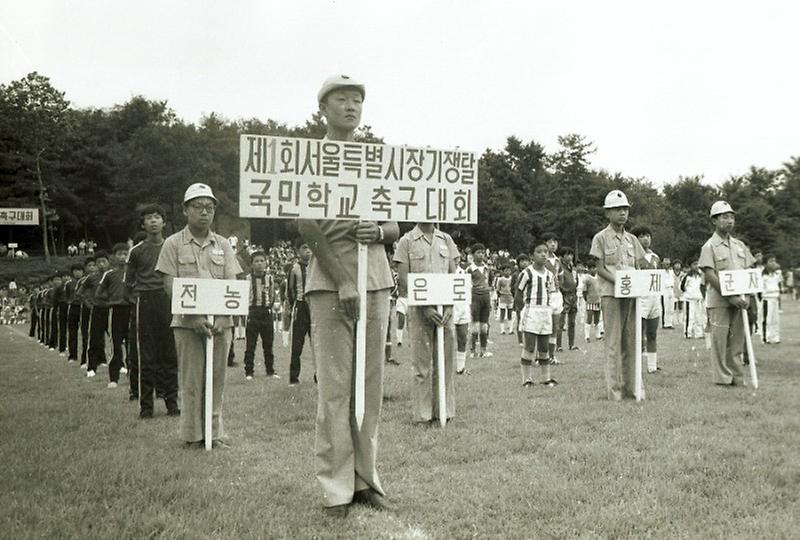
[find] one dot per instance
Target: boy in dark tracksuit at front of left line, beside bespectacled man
(156, 364)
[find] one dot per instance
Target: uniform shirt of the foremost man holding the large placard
(341, 237)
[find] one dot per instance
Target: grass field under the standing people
(694, 460)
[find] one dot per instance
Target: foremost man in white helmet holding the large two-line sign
(346, 455)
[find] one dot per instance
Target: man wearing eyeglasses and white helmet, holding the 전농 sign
(198, 252)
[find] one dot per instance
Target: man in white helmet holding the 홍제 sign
(616, 249)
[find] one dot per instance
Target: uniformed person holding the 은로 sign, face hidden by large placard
(425, 249)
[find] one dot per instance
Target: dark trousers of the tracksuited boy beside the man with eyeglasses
(158, 363)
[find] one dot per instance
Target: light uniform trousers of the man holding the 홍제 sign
(619, 316)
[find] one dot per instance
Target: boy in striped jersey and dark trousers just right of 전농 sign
(259, 318)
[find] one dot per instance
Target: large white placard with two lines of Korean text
(287, 178)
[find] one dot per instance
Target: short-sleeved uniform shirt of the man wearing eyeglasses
(183, 256)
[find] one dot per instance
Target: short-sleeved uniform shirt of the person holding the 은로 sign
(423, 255)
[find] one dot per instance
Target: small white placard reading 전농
(198, 296)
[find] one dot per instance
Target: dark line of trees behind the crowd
(87, 169)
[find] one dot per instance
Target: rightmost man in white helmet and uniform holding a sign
(724, 252)
